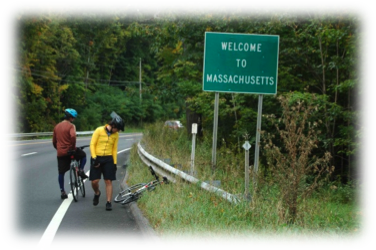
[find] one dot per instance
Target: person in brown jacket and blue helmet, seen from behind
(64, 140)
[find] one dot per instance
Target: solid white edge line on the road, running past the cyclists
(49, 233)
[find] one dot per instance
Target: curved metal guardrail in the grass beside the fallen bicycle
(167, 170)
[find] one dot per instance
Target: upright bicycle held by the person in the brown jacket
(76, 181)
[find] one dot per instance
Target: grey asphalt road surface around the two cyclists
(31, 201)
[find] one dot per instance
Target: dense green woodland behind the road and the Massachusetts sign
(67, 55)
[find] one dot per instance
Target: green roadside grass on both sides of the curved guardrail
(183, 214)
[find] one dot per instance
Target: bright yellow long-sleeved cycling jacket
(103, 144)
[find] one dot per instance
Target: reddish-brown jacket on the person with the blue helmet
(64, 137)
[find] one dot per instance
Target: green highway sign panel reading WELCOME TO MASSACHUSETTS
(240, 63)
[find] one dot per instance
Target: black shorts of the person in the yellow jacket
(106, 167)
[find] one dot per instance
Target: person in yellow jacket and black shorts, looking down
(103, 148)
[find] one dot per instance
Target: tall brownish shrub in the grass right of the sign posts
(298, 172)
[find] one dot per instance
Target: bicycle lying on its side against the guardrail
(134, 192)
